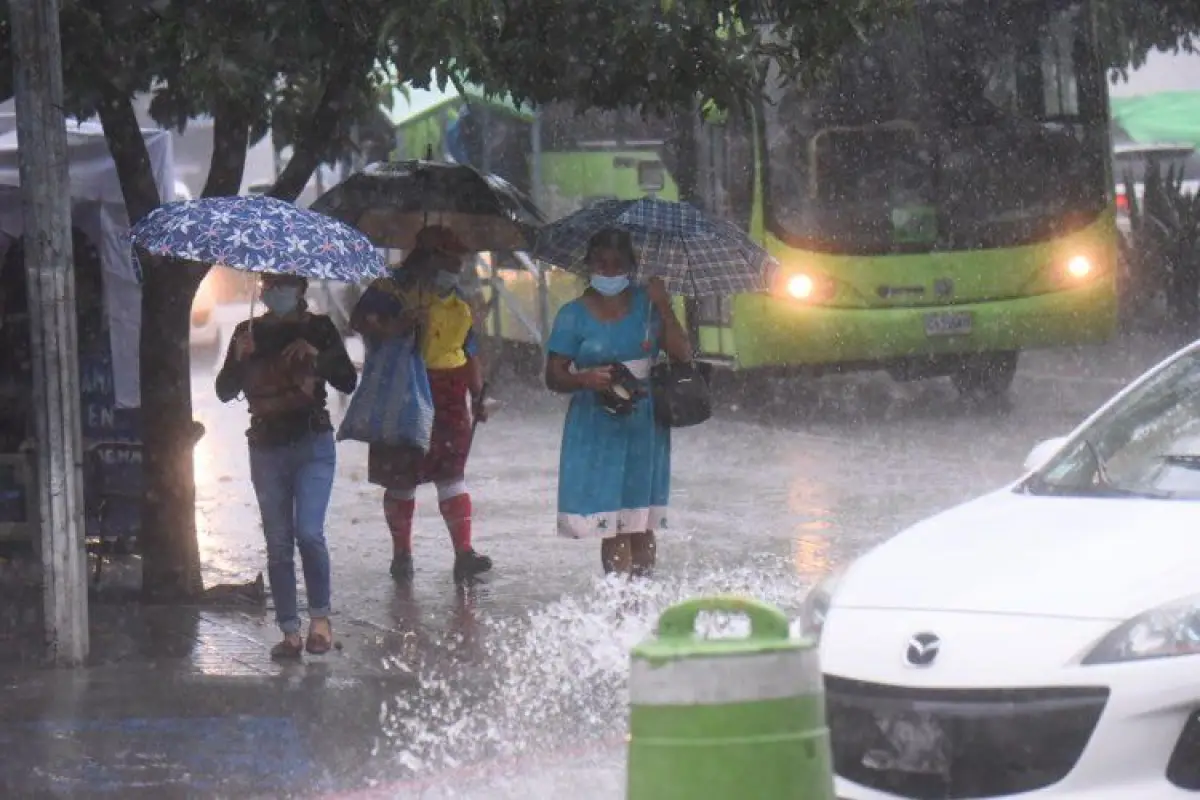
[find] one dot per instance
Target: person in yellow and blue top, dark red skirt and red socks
(423, 294)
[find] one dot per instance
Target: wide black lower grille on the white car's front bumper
(950, 744)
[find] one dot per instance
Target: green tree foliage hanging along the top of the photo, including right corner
(271, 59)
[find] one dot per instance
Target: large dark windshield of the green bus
(963, 127)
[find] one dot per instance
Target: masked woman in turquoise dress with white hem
(615, 471)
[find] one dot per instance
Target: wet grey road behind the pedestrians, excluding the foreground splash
(812, 477)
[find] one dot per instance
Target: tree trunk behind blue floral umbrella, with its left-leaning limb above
(171, 566)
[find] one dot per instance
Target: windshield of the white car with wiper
(1145, 446)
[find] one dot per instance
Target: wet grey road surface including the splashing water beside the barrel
(789, 482)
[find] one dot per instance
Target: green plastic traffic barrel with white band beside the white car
(728, 719)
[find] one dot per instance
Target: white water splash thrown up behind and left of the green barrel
(545, 695)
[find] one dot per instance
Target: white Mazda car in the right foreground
(1042, 641)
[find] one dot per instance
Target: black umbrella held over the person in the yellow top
(392, 201)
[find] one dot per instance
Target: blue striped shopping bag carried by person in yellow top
(393, 404)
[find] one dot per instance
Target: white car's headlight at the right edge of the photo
(1163, 633)
